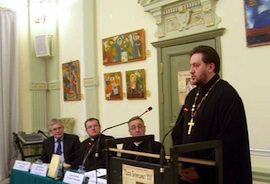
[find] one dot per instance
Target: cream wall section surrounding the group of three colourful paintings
(116, 18)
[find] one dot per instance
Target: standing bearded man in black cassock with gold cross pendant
(213, 111)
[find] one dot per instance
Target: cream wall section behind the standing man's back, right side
(247, 70)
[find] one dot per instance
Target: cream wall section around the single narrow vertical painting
(70, 49)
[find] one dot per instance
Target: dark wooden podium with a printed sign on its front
(118, 168)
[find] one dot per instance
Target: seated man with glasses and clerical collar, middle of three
(92, 153)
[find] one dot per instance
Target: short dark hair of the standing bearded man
(210, 55)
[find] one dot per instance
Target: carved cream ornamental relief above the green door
(176, 18)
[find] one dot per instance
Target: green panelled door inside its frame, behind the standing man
(173, 59)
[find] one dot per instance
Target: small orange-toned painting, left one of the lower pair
(113, 86)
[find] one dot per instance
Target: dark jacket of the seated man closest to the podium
(143, 147)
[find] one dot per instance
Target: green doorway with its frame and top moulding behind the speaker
(173, 57)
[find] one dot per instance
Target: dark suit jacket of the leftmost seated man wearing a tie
(71, 145)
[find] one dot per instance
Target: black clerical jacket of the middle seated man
(89, 145)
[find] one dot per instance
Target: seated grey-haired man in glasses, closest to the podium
(136, 127)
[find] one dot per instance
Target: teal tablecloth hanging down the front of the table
(23, 177)
